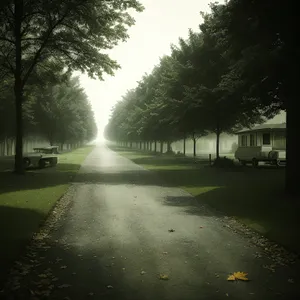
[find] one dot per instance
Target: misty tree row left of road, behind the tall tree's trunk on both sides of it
(56, 114)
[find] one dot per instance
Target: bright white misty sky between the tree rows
(160, 24)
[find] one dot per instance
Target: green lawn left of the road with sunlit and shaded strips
(25, 200)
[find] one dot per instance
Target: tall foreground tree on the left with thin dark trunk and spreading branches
(71, 32)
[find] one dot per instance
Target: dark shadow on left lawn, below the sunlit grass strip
(15, 234)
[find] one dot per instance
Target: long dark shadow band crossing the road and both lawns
(189, 177)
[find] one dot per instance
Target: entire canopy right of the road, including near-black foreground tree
(238, 70)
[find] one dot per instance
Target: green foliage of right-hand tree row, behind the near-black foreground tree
(191, 93)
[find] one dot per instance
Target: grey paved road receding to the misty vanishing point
(114, 242)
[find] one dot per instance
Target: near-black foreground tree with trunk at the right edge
(261, 39)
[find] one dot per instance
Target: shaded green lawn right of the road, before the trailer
(253, 196)
